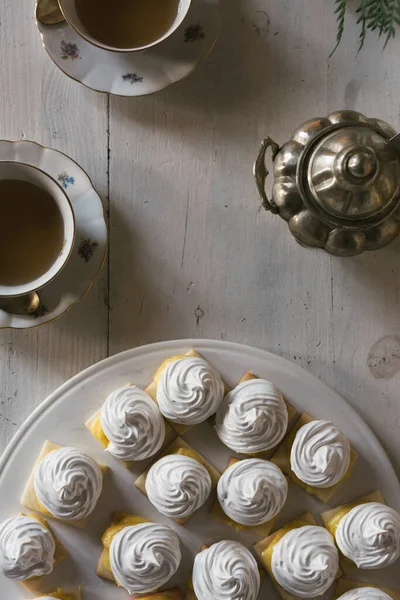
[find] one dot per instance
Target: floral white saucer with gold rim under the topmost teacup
(135, 73)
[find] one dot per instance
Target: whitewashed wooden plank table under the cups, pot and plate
(191, 252)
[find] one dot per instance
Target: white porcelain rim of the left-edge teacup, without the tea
(23, 172)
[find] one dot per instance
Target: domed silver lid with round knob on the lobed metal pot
(350, 175)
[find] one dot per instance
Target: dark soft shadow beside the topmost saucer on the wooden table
(237, 75)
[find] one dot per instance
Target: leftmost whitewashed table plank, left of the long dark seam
(38, 102)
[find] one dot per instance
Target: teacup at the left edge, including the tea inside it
(37, 229)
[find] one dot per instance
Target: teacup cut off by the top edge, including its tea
(125, 25)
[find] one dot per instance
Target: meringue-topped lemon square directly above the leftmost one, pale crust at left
(65, 484)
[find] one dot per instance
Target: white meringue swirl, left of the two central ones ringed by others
(177, 485)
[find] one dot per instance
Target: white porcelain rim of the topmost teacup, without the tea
(68, 8)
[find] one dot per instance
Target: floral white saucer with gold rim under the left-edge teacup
(89, 251)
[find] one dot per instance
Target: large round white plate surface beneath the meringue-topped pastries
(62, 416)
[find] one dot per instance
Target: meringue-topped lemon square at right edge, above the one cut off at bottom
(367, 532)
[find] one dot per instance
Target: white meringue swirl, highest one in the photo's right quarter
(320, 454)
